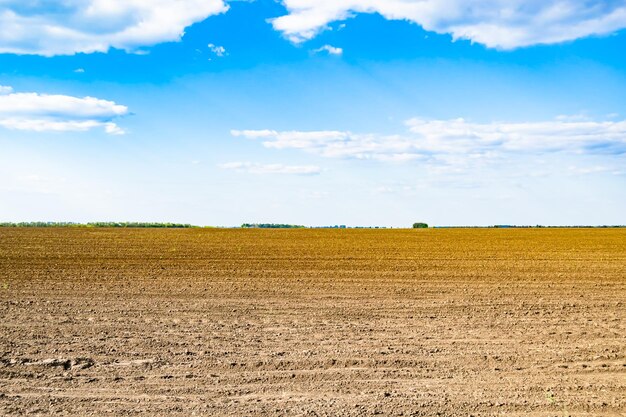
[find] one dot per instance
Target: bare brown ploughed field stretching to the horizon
(312, 322)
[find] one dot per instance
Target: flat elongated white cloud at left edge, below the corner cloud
(46, 112)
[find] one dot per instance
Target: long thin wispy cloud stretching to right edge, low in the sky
(454, 142)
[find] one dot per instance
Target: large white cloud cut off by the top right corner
(504, 24)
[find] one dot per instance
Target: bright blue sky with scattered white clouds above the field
(314, 112)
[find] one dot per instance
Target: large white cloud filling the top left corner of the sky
(63, 28)
